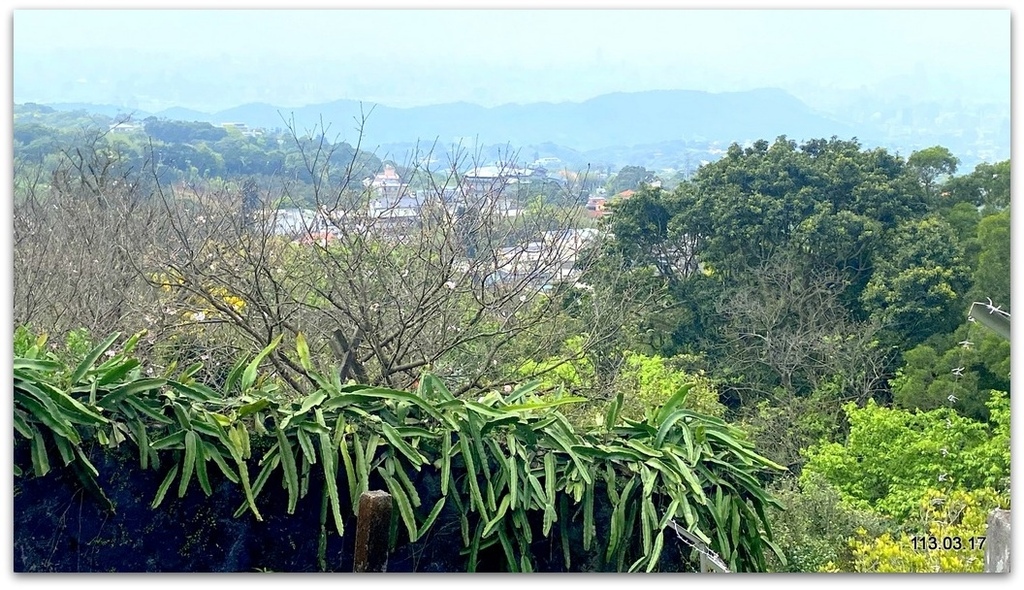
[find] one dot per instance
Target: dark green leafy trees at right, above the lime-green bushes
(776, 249)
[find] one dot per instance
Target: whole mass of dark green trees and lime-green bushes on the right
(824, 277)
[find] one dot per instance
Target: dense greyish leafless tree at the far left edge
(77, 227)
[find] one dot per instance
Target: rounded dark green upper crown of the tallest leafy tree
(828, 198)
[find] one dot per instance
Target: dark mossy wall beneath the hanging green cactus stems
(60, 528)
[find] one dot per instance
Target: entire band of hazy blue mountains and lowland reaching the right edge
(667, 127)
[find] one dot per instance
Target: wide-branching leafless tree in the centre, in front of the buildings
(466, 279)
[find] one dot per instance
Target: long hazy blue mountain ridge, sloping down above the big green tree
(612, 120)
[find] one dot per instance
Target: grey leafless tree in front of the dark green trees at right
(800, 355)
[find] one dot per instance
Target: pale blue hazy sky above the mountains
(220, 59)
